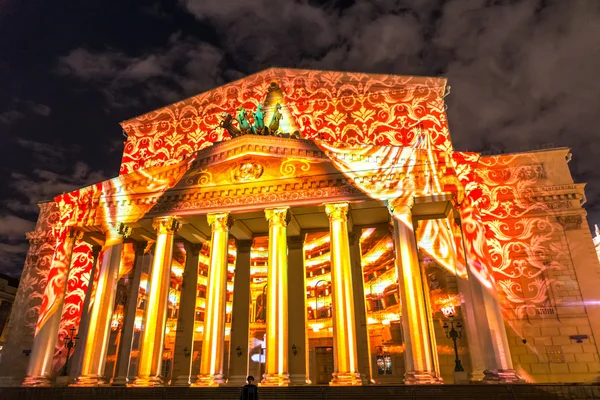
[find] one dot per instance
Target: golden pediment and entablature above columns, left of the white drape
(250, 172)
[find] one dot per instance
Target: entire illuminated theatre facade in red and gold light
(310, 227)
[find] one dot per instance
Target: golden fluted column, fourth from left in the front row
(213, 344)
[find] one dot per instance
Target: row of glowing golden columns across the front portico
(420, 347)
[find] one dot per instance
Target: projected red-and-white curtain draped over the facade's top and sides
(392, 127)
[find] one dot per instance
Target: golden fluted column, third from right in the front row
(344, 326)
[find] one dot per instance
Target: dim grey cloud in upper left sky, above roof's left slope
(182, 68)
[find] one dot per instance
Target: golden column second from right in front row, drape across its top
(420, 356)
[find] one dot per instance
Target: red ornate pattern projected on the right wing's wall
(520, 232)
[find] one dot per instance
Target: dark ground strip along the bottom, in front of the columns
(446, 392)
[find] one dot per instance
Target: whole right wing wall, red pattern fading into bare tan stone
(545, 266)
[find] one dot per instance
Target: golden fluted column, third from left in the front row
(155, 314)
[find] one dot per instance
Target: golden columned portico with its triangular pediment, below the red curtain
(272, 195)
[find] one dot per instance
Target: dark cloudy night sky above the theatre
(523, 74)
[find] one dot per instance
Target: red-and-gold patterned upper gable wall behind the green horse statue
(336, 106)
